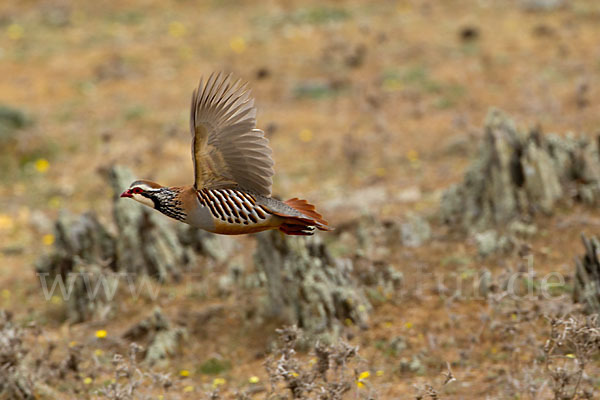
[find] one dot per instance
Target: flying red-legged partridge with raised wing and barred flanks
(233, 171)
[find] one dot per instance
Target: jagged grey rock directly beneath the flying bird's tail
(307, 286)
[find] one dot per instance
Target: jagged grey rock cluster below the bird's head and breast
(92, 259)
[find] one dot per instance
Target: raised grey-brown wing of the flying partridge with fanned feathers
(227, 149)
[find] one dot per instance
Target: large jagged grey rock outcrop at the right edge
(518, 174)
